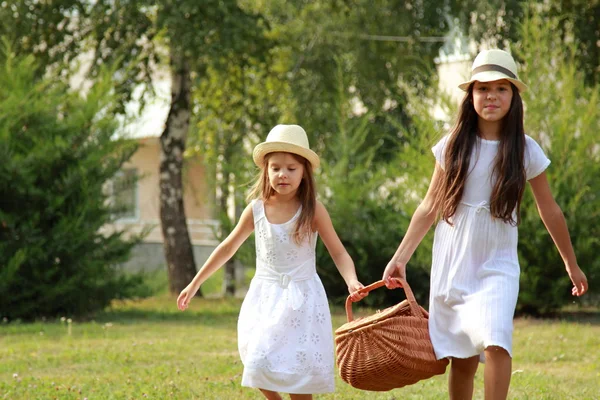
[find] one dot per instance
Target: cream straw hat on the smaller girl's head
(285, 138)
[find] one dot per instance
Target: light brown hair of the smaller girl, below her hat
(307, 194)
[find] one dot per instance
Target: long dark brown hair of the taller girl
(509, 170)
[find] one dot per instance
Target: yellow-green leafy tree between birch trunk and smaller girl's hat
(237, 105)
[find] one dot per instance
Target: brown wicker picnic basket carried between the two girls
(388, 350)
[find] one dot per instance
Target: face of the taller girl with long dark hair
(491, 100)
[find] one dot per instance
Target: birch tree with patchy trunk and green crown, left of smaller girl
(196, 35)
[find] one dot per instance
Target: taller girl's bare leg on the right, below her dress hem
(497, 372)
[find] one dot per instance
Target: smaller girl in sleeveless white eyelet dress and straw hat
(284, 329)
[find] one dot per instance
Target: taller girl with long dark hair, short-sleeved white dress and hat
(480, 174)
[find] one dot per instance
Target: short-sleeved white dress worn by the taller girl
(475, 268)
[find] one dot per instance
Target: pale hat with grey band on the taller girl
(493, 65)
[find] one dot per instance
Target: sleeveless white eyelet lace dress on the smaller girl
(285, 335)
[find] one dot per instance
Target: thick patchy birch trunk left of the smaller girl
(178, 248)
